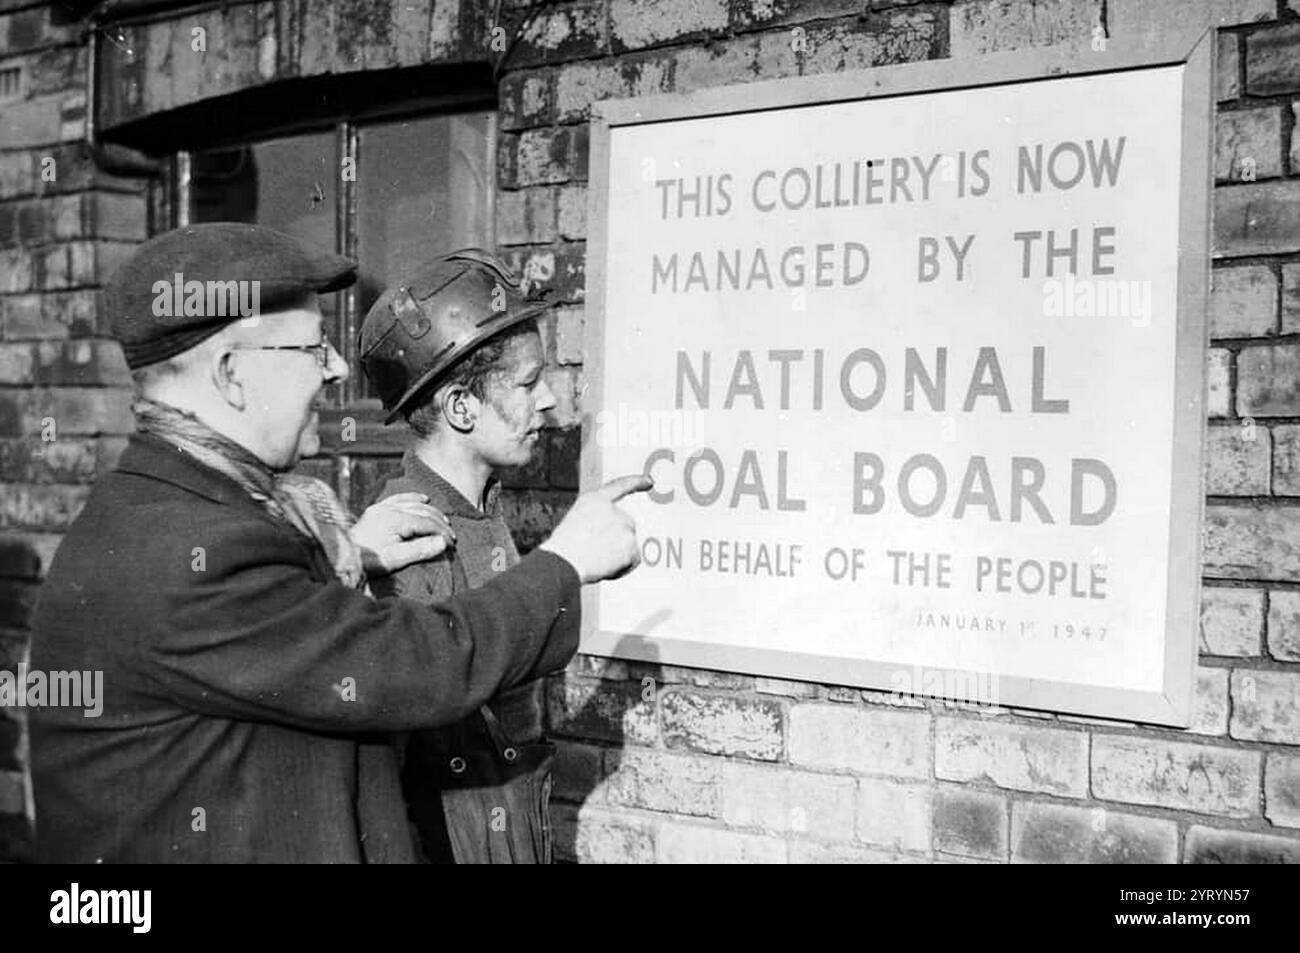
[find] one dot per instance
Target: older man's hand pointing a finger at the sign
(596, 536)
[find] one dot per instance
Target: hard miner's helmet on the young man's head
(417, 332)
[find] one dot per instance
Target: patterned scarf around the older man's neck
(306, 504)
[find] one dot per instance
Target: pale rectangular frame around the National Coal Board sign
(1191, 49)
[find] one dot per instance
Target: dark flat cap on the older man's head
(181, 288)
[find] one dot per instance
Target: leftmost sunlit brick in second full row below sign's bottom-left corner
(661, 782)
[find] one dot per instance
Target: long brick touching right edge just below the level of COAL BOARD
(1254, 543)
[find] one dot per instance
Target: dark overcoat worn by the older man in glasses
(248, 694)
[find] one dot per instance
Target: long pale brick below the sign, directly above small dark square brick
(1012, 756)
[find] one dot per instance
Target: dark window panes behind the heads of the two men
(391, 194)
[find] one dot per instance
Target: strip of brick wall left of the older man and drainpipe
(64, 388)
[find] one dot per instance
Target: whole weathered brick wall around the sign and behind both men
(665, 764)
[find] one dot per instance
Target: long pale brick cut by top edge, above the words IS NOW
(980, 28)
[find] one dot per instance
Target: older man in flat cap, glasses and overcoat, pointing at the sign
(248, 681)
